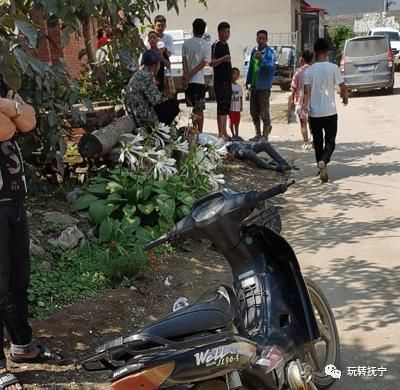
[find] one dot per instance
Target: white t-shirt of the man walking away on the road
(322, 77)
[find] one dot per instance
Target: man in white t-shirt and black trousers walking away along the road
(319, 102)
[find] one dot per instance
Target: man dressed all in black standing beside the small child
(221, 62)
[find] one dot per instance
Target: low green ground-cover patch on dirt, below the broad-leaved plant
(83, 273)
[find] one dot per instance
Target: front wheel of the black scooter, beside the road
(325, 350)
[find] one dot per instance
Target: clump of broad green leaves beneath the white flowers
(123, 203)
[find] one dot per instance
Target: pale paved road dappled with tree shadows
(347, 232)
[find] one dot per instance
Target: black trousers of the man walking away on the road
(324, 132)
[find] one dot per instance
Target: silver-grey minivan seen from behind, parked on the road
(367, 63)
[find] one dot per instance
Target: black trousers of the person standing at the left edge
(14, 275)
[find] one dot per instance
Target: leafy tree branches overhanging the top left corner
(48, 88)
